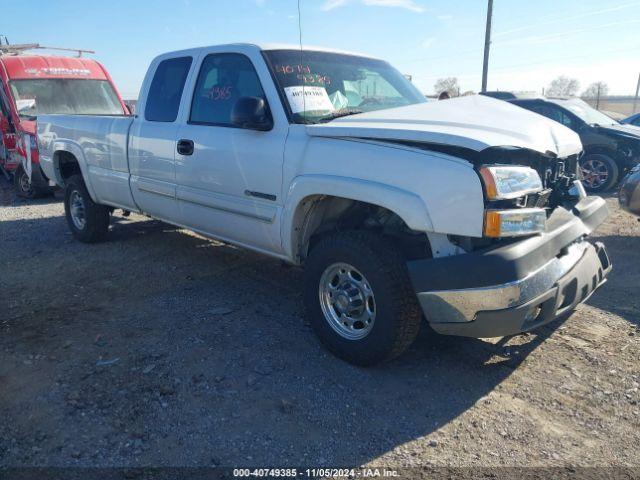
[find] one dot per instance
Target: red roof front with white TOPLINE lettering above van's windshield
(41, 66)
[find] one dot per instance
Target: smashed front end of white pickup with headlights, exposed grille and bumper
(515, 279)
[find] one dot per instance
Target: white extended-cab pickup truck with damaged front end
(467, 211)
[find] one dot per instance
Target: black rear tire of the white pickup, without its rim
(96, 216)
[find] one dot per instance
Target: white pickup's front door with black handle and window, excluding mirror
(230, 178)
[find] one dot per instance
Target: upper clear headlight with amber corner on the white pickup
(503, 182)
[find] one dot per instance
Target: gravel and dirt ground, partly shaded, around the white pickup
(160, 348)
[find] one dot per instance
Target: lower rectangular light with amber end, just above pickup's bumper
(513, 223)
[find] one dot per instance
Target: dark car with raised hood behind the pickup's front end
(611, 149)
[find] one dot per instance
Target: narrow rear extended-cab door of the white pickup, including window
(152, 139)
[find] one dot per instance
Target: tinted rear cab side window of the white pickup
(165, 92)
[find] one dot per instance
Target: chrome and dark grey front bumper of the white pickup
(518, 287)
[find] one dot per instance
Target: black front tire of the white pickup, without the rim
(398, 313)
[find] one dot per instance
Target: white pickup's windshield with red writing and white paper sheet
(320, 86)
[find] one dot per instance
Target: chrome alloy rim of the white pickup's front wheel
(347, 301)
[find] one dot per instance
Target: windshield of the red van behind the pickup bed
(60, 95)
